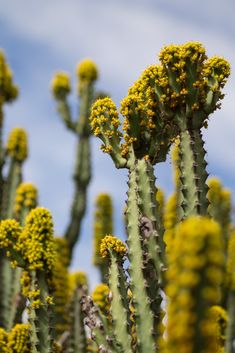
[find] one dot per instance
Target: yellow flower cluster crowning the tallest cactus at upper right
(193, 78)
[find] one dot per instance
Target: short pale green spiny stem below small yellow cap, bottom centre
(119, 310)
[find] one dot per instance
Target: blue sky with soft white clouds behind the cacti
(122, 37)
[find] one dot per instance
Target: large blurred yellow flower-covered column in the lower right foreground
(194, 278)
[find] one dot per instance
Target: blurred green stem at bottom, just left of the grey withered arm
(77, 341)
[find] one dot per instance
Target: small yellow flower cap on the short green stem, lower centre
(112, 244)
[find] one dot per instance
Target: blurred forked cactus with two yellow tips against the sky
(87, 74)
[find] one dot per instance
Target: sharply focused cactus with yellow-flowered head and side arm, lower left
(32, 248)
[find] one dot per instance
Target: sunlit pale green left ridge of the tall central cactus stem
(144, 316)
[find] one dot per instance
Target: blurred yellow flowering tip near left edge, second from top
(17, 146)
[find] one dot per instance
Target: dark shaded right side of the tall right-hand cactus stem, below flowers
(201, 174)
